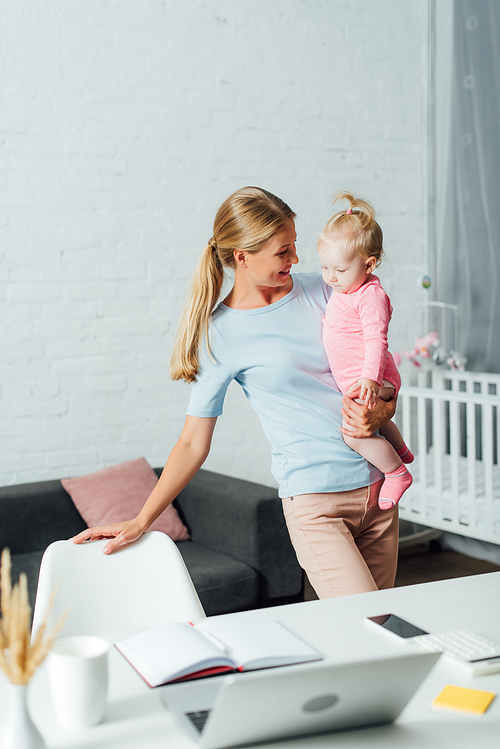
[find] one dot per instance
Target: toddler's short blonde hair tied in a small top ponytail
(363, 234)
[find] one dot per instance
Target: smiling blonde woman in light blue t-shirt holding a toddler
(267, 335)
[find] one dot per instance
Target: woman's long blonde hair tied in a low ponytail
(245, 221)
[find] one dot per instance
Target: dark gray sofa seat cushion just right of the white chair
(223, 583)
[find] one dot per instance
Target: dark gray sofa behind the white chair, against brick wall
(239, 555)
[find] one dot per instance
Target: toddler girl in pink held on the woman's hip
(355, 335)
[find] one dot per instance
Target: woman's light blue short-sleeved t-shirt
(276, 354)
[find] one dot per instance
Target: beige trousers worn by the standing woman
(345, 543)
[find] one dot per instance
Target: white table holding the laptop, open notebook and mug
(137, 719)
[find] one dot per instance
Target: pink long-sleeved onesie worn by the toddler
(355, 336)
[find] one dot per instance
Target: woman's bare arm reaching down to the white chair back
(187, 456)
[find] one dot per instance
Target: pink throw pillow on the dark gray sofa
(118, 493)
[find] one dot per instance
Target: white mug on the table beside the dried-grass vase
(78, 677)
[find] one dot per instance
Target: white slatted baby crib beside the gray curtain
(450, 419)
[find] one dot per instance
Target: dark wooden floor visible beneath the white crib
(418, 564)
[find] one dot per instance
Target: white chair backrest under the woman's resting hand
(138, 586)
